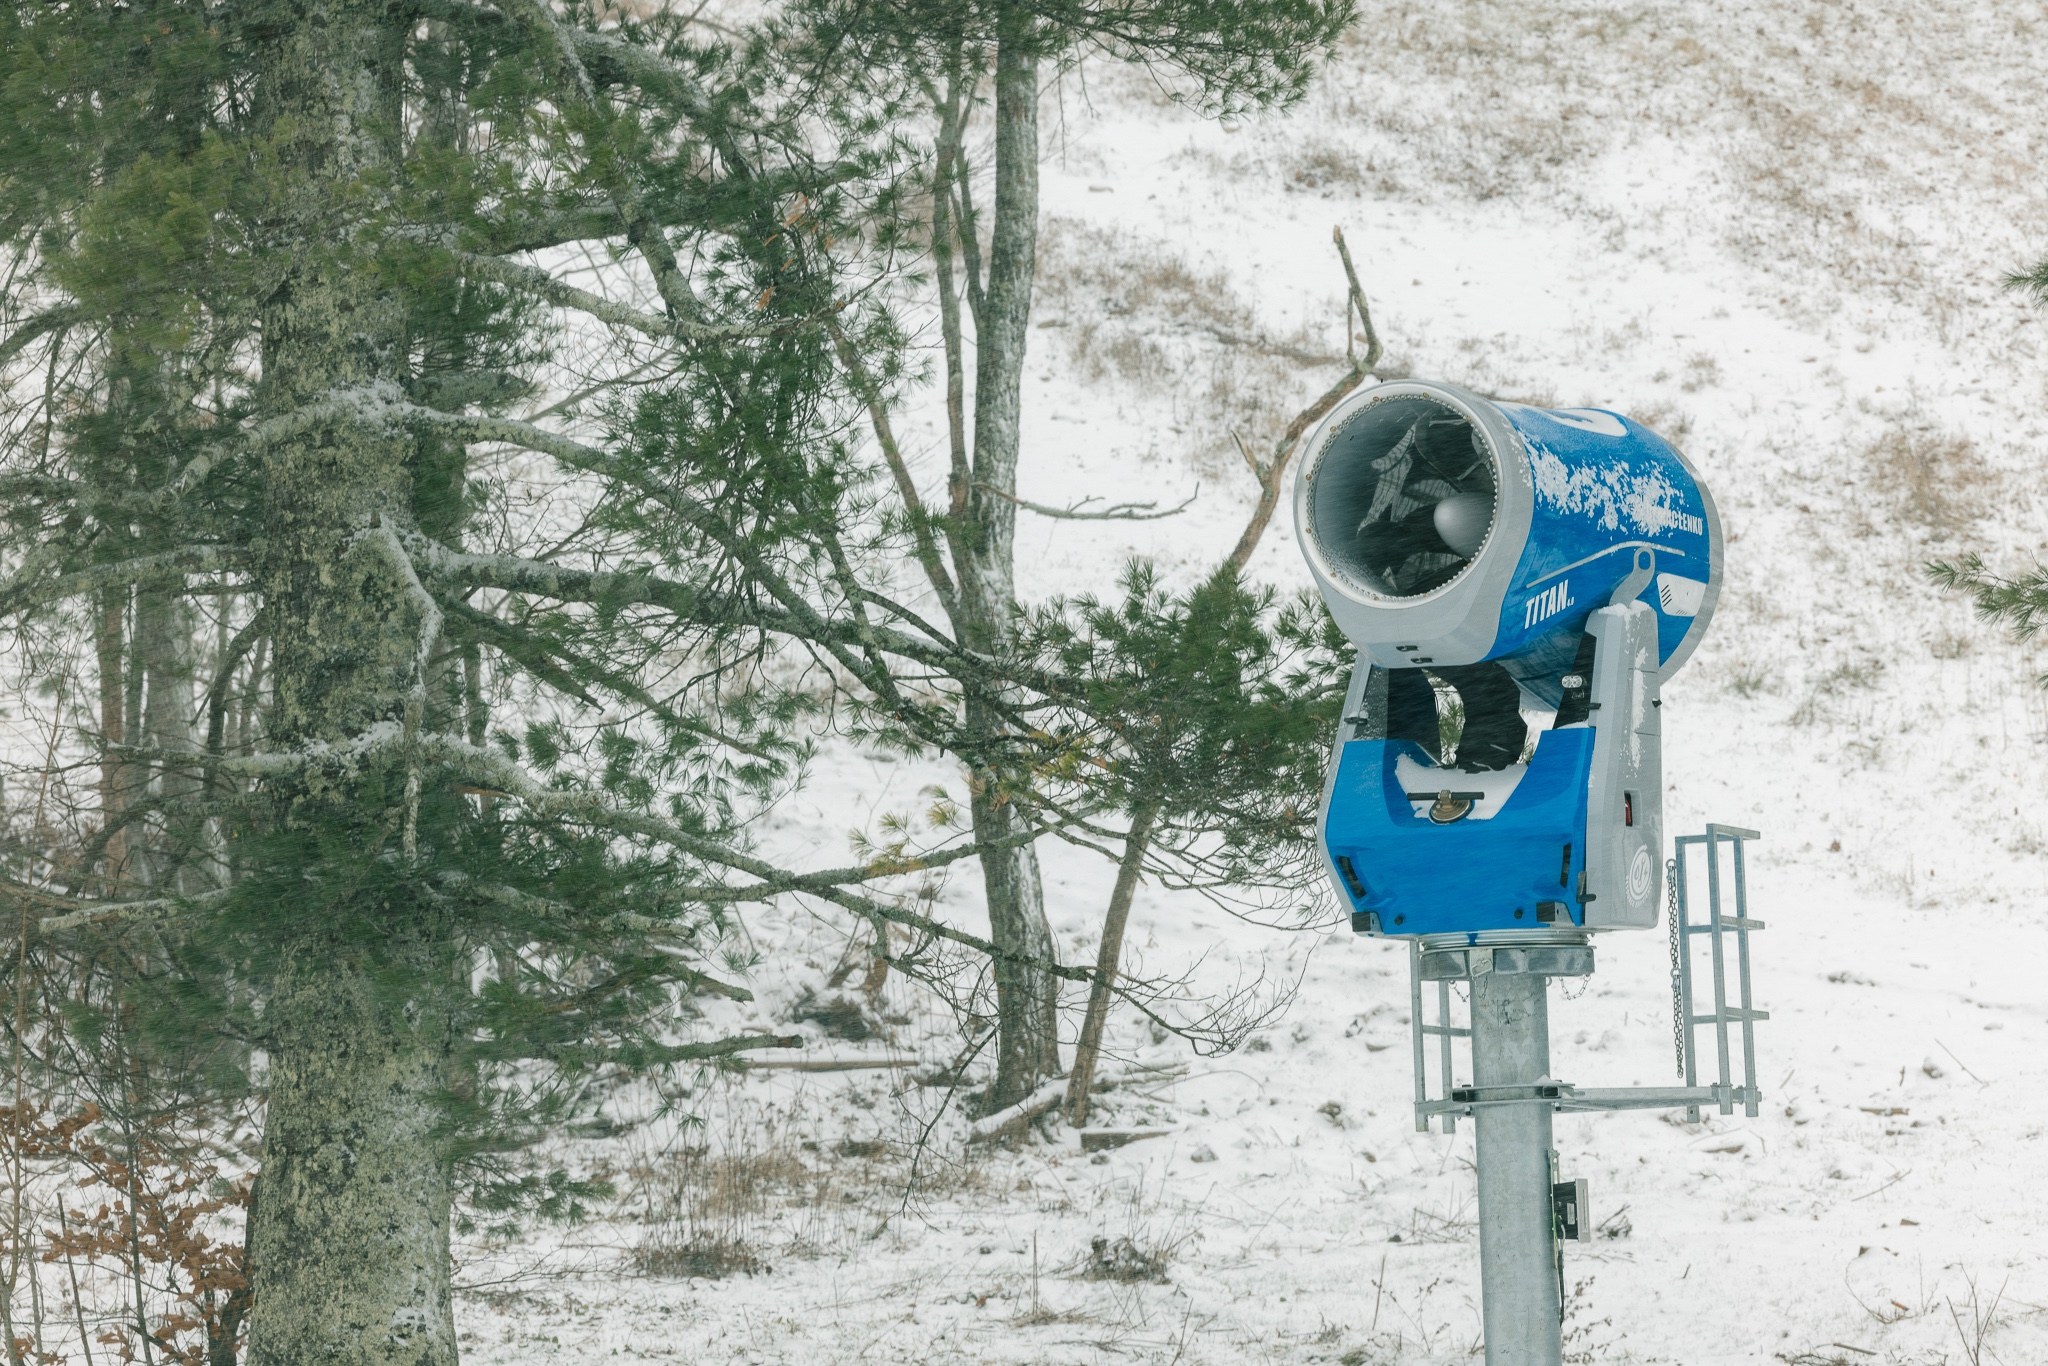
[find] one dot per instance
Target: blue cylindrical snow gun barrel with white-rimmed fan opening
(1447, 529)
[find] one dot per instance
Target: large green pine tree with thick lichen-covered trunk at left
(427, 732)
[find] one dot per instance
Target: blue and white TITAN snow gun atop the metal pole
(1496, 560)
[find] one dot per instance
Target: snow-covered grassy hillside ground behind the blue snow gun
(1777, 232)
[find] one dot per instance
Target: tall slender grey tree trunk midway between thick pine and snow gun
(1027, 996)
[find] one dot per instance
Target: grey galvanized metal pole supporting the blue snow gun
(1519, 1250)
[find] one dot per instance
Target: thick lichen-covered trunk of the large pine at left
(349, 1246)
